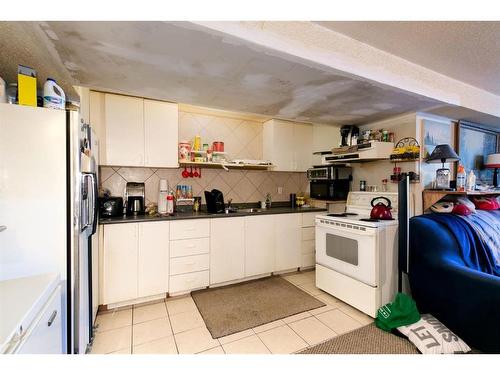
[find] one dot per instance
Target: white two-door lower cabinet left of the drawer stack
(135, 261)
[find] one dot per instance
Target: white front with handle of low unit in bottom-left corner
(45, 335)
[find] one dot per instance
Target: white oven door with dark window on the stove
(349, 249)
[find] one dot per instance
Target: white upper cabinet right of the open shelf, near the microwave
(288, 145)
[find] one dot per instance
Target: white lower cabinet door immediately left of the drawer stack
(153, 258)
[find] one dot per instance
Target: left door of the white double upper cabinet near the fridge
(124, 119)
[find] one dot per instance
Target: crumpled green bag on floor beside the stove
(401, 312)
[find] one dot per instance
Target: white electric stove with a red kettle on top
(356, 257)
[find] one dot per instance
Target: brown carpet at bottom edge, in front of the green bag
(365, 340)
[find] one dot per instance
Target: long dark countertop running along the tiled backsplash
(205, 215)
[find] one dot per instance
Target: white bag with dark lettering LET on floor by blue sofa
(430, 336)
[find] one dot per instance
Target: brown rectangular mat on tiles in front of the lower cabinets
(235, 308)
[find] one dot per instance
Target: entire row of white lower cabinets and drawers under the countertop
(151, 258)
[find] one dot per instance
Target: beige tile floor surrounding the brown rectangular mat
(176, 326)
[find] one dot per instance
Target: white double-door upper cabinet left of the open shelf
(133, 131)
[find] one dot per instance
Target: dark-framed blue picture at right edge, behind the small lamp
(475, 143)
